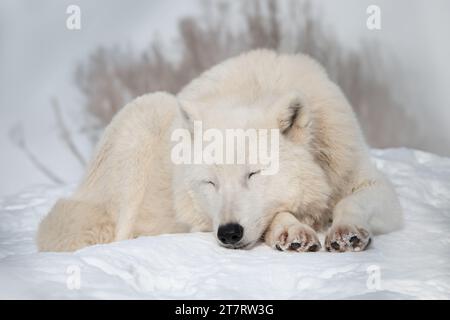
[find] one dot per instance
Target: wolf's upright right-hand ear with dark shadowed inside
(293, 117)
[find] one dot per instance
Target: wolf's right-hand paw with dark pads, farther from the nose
(347, 238)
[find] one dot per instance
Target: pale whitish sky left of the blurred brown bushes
(37, 59)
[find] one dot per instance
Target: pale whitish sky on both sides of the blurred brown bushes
(38, 55)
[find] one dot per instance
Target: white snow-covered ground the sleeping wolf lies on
(413, 263)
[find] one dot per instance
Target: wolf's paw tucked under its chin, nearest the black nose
(298, 237)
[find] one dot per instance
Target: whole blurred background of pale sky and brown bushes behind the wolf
(59, 87)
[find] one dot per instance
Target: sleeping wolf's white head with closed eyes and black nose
(235, 187)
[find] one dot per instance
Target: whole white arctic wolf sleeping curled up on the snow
(325, 179)
